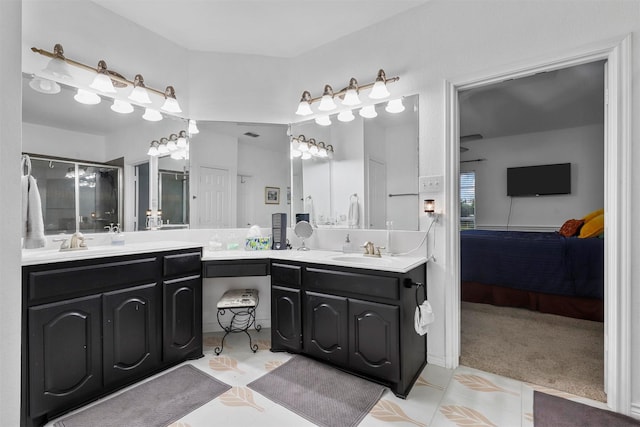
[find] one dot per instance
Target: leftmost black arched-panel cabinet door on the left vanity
(65, 354)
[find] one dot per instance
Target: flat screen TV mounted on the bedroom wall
(539, 180)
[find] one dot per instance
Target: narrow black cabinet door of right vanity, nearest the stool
(286, 323)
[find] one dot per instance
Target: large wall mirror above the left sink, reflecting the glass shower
(57, 127)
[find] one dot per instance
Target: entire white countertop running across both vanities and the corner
(399, 264)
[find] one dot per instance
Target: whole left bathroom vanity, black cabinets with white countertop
(95, 322)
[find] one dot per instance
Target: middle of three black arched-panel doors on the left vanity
(130, 327)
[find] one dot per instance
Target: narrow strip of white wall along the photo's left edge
(10, 148)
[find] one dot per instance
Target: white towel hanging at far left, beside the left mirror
(32, 222)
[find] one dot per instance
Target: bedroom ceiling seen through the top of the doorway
(565, 98)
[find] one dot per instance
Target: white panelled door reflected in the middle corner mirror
(213, 197)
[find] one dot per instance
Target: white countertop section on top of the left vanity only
(46, 256)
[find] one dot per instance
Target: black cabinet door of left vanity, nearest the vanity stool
(182, 324)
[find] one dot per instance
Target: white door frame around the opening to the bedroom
(617, 208)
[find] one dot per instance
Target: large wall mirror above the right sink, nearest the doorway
(371, 179)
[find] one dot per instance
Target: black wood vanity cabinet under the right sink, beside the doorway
(358, 319)
